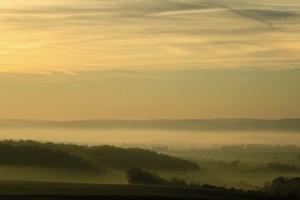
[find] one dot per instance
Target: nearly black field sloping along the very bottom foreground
(21, 190)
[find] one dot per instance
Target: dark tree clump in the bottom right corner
(284, 186)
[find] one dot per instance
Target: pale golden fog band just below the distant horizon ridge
(148, 138)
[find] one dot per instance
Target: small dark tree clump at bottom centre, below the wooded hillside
(139, 176)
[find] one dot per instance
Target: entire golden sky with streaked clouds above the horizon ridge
(149, 59)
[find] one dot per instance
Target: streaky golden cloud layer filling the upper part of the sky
(80, 35)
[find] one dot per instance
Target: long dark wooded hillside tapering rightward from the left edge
(99, 158)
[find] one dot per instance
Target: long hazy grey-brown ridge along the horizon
(179, 125)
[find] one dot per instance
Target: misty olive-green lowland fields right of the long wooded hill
(242, 166)
